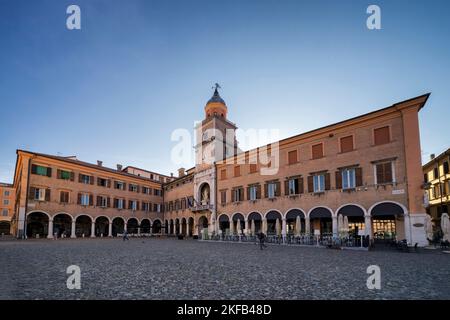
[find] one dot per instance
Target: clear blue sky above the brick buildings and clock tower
(137, 70)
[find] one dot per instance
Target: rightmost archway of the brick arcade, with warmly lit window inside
(385, 217)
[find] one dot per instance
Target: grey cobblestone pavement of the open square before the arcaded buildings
(174, 269)
